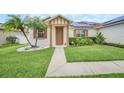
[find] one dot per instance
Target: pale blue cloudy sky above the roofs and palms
(74, 17)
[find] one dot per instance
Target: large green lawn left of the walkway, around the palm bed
(24, 64)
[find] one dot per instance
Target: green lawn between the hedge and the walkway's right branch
(94, 53)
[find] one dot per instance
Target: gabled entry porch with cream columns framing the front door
(58, 31)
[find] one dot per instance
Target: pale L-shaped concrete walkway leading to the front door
(59, 67)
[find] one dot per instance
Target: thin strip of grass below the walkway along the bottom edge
(112, 75)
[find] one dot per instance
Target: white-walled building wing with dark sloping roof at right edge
(113, 30)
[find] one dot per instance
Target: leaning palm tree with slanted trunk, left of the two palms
(15, 23)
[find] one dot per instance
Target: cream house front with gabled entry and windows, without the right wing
(60, 29)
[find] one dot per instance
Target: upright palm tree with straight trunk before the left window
(37, 24)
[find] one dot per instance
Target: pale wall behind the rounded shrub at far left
(21, 38)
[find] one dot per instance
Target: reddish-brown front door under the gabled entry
(59, 35)
